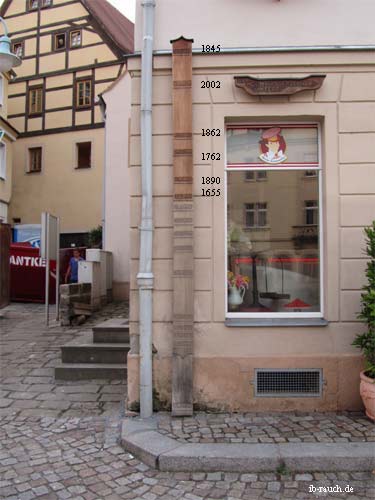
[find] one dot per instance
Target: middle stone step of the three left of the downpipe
(83, 350)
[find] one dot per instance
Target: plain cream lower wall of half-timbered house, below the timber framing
(74, 195)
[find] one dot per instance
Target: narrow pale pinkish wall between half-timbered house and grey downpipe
(116, 186)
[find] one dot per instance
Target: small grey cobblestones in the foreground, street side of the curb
(79, 459)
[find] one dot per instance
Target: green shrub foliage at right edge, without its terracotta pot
(366, 341)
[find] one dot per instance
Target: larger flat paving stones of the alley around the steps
(30, 351)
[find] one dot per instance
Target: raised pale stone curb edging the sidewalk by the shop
(141, 438)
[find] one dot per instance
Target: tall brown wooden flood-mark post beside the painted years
(183, 259)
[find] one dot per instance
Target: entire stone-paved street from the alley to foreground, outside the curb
(59, 440)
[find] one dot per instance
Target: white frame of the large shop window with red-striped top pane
(306, 166)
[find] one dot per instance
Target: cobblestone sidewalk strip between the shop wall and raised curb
(290, 427)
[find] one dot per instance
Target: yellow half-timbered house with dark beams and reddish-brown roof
(71, 52)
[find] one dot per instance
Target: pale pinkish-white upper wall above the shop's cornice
(260, 23)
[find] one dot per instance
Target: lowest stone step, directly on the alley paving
(90, 371)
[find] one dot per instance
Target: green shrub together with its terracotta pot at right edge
(366, 341)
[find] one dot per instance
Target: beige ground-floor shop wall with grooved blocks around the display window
(225, 357)
